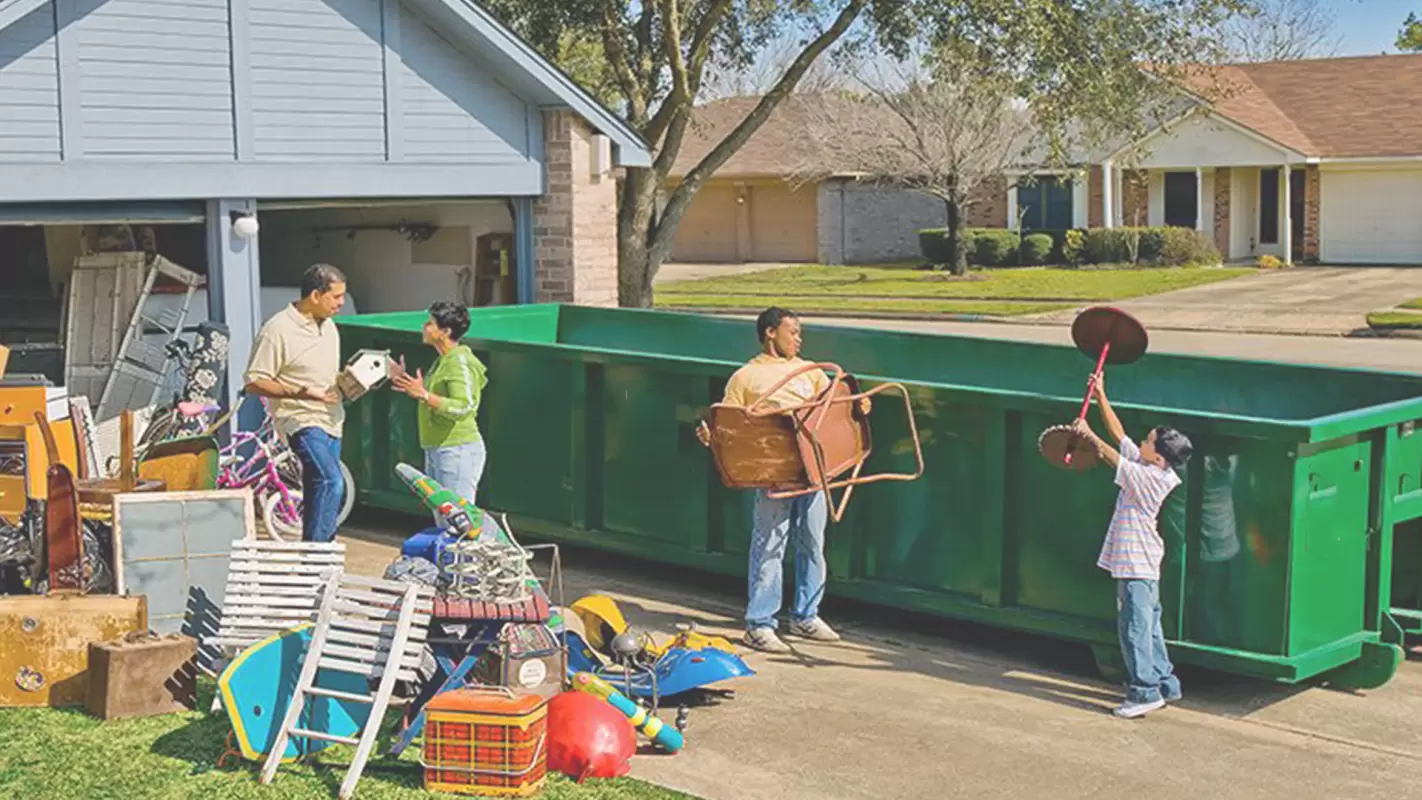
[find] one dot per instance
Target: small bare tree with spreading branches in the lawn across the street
(936, 124)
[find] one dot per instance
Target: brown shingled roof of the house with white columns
(1363, 107)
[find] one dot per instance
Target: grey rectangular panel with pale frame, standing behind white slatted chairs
(176, 548)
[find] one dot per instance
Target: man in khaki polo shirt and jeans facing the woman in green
(295, 363)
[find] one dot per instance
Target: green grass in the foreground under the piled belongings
(66, 755)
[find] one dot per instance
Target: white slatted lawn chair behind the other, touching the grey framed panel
(272, 588)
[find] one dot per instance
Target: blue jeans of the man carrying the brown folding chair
(777, 524)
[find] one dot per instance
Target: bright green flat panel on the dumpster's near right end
(1330, 546)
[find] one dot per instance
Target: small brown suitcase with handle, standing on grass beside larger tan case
(143, 674)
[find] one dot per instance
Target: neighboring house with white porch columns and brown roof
(1347, 133)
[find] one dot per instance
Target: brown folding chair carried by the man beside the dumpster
(806, 448)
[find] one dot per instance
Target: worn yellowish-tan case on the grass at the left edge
(45, 660)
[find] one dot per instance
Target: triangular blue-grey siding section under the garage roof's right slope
(450, 112)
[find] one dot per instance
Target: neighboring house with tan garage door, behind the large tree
(753, 210)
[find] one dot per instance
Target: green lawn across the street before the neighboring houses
(907, 291)
